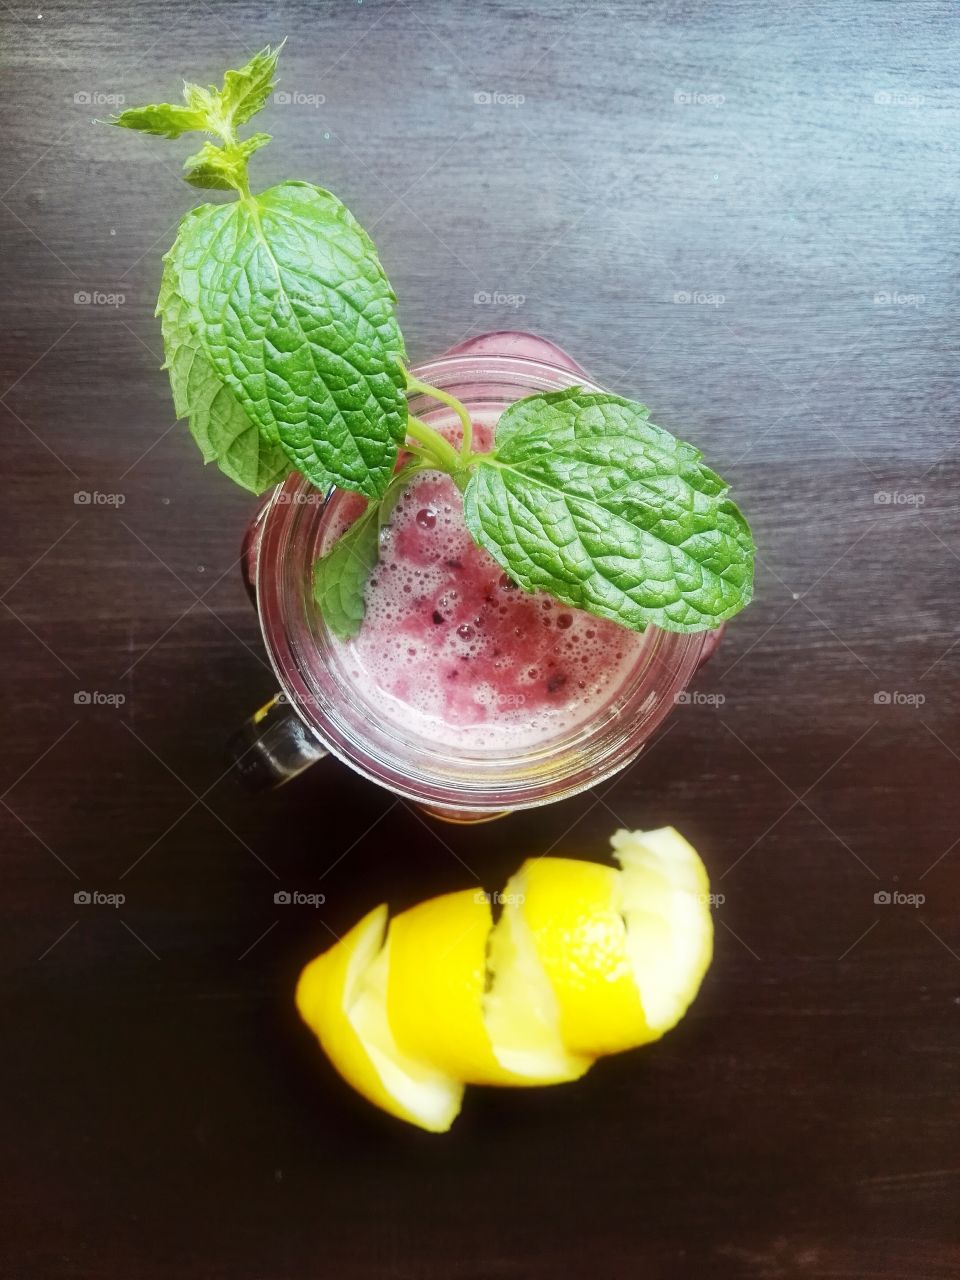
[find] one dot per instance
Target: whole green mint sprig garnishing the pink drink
(285, 355)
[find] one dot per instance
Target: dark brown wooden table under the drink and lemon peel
(744, 214)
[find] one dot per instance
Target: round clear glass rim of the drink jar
(424, 772)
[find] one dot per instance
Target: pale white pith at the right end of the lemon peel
(670, 930)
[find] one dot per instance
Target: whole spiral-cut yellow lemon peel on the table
(586, 961)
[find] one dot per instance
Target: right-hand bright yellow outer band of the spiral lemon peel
(573, 911)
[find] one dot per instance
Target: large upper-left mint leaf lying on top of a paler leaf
(292, 308)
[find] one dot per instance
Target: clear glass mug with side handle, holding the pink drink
(318, 715)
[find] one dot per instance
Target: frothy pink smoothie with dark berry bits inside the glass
(456, 653)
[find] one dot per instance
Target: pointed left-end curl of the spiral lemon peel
(342, 996)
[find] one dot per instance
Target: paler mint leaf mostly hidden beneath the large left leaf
(217, 419)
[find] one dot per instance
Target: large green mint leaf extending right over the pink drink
(587, 500)
